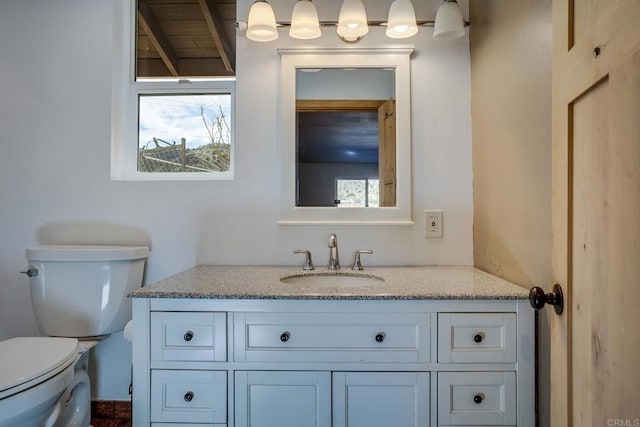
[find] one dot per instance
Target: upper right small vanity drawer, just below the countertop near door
(477, 338)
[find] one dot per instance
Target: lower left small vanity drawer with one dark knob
(189, 396)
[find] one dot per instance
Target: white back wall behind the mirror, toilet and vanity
(55, 62)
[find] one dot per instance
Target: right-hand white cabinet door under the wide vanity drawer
(381, 399)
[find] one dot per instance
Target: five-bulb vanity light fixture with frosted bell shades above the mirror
(352, 24)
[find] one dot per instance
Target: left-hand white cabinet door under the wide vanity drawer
(282, 399)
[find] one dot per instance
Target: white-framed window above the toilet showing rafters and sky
(173, 90)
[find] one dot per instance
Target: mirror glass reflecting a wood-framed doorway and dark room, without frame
(345, 137)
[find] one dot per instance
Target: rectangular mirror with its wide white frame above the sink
(345, 136)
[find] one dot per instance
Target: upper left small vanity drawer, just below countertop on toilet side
(194, 336)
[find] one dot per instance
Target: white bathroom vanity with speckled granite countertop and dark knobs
(406, 346)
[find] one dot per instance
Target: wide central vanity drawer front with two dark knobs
(335, 337)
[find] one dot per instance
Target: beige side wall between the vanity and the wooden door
(511, 103)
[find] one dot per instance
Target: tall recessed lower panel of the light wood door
(606, 198)
